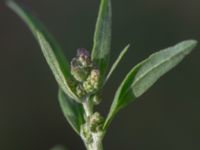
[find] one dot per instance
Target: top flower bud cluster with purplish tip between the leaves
(85, 73)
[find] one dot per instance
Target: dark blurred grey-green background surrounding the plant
(164, 118)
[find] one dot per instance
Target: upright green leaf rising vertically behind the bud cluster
(102, 37)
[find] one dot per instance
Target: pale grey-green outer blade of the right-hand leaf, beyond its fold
(158, 64)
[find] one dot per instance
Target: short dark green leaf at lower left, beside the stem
(72, 111)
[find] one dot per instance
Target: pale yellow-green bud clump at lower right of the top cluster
(92, 82)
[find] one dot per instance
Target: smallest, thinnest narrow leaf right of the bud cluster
(115, 64)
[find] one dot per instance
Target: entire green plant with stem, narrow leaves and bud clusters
(81, 81)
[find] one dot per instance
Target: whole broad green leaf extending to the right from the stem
(146, 73)
